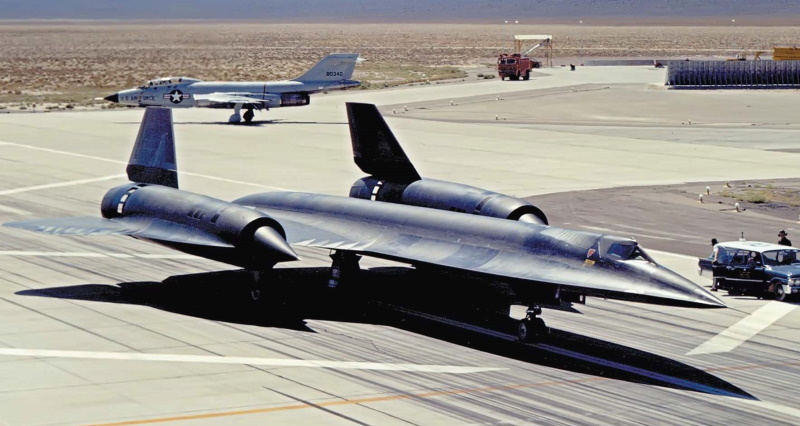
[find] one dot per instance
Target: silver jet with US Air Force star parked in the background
(331, 73)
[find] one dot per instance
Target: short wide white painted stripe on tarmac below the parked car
(743, 330)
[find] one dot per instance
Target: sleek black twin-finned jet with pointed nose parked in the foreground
(392, 214)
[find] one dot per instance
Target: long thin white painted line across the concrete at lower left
(274, 362)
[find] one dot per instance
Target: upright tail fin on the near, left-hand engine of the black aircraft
(153, 156)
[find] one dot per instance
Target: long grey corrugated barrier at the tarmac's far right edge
(733, 74)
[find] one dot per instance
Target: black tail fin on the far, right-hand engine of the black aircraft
(375, 149)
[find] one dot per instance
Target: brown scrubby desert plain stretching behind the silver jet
(66, 64)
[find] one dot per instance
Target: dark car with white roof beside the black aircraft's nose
(754, 268)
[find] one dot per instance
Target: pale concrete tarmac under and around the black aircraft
(110, 330)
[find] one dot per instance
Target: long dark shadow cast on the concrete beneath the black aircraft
(225, 296)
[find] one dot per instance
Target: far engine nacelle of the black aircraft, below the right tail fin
(449, 196)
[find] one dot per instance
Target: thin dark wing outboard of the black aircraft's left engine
(139, 227)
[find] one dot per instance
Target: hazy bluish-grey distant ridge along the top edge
(387, 10)
